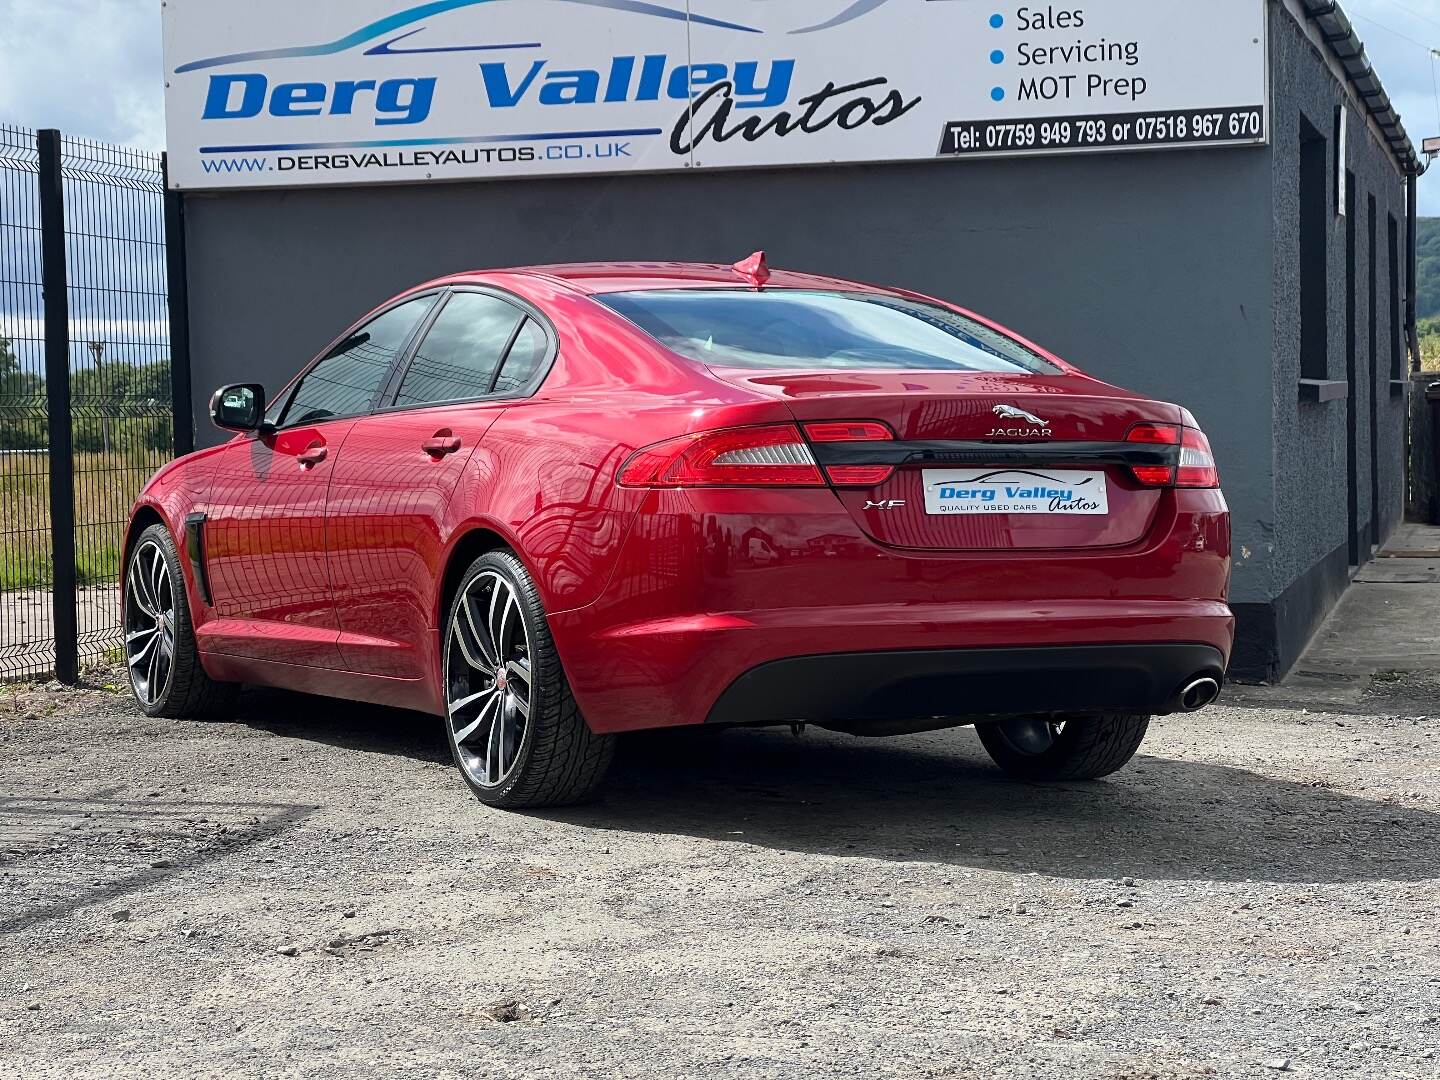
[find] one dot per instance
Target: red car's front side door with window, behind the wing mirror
(266, 519)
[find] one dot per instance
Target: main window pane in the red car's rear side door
(459, 358)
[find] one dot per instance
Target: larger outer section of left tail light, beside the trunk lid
(770, 456)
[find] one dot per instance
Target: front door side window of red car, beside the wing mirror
(348, 379)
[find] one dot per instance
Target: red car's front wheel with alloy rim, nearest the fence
(162, 657)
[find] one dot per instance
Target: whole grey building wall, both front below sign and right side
(1171, 273)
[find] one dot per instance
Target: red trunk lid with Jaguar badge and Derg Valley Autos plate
(994, 462)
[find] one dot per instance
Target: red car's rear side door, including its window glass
(401, 467)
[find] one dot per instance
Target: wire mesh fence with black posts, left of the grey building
(114, 355)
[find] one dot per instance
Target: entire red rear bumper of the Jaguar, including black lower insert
(709, 591)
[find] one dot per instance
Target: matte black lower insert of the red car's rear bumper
(967, 683)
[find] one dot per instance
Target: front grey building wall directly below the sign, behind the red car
(1147, 270)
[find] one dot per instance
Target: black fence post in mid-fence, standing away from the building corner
(58, 401)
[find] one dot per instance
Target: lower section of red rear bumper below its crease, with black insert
(676, 670)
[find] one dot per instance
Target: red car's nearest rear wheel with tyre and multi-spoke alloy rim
(513, 728)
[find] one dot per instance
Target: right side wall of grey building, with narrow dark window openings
(1307, 535)
